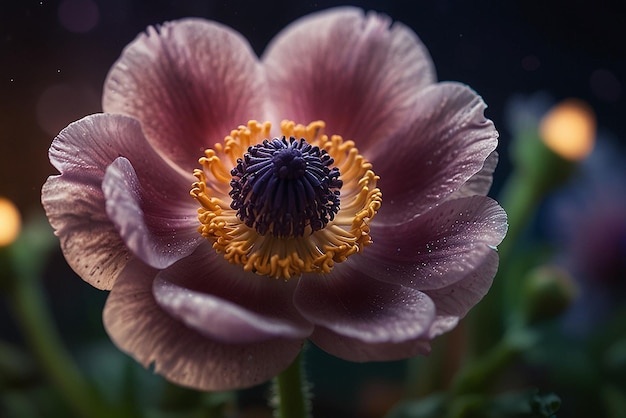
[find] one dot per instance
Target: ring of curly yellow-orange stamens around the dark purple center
(286, 257)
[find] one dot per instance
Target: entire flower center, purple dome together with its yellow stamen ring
(274, 206)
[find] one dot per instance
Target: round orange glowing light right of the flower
(569, 129)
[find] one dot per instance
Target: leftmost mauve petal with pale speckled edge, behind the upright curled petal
(74, 201)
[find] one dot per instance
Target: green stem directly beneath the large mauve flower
(291, 392)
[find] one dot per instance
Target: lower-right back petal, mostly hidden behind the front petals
(454, 301)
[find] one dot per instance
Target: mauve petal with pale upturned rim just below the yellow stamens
(225, 303)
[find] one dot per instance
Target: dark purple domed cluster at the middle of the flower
(282, 186)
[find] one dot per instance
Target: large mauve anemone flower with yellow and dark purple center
(285, 236)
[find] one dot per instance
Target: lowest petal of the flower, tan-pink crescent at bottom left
(141, 328)
